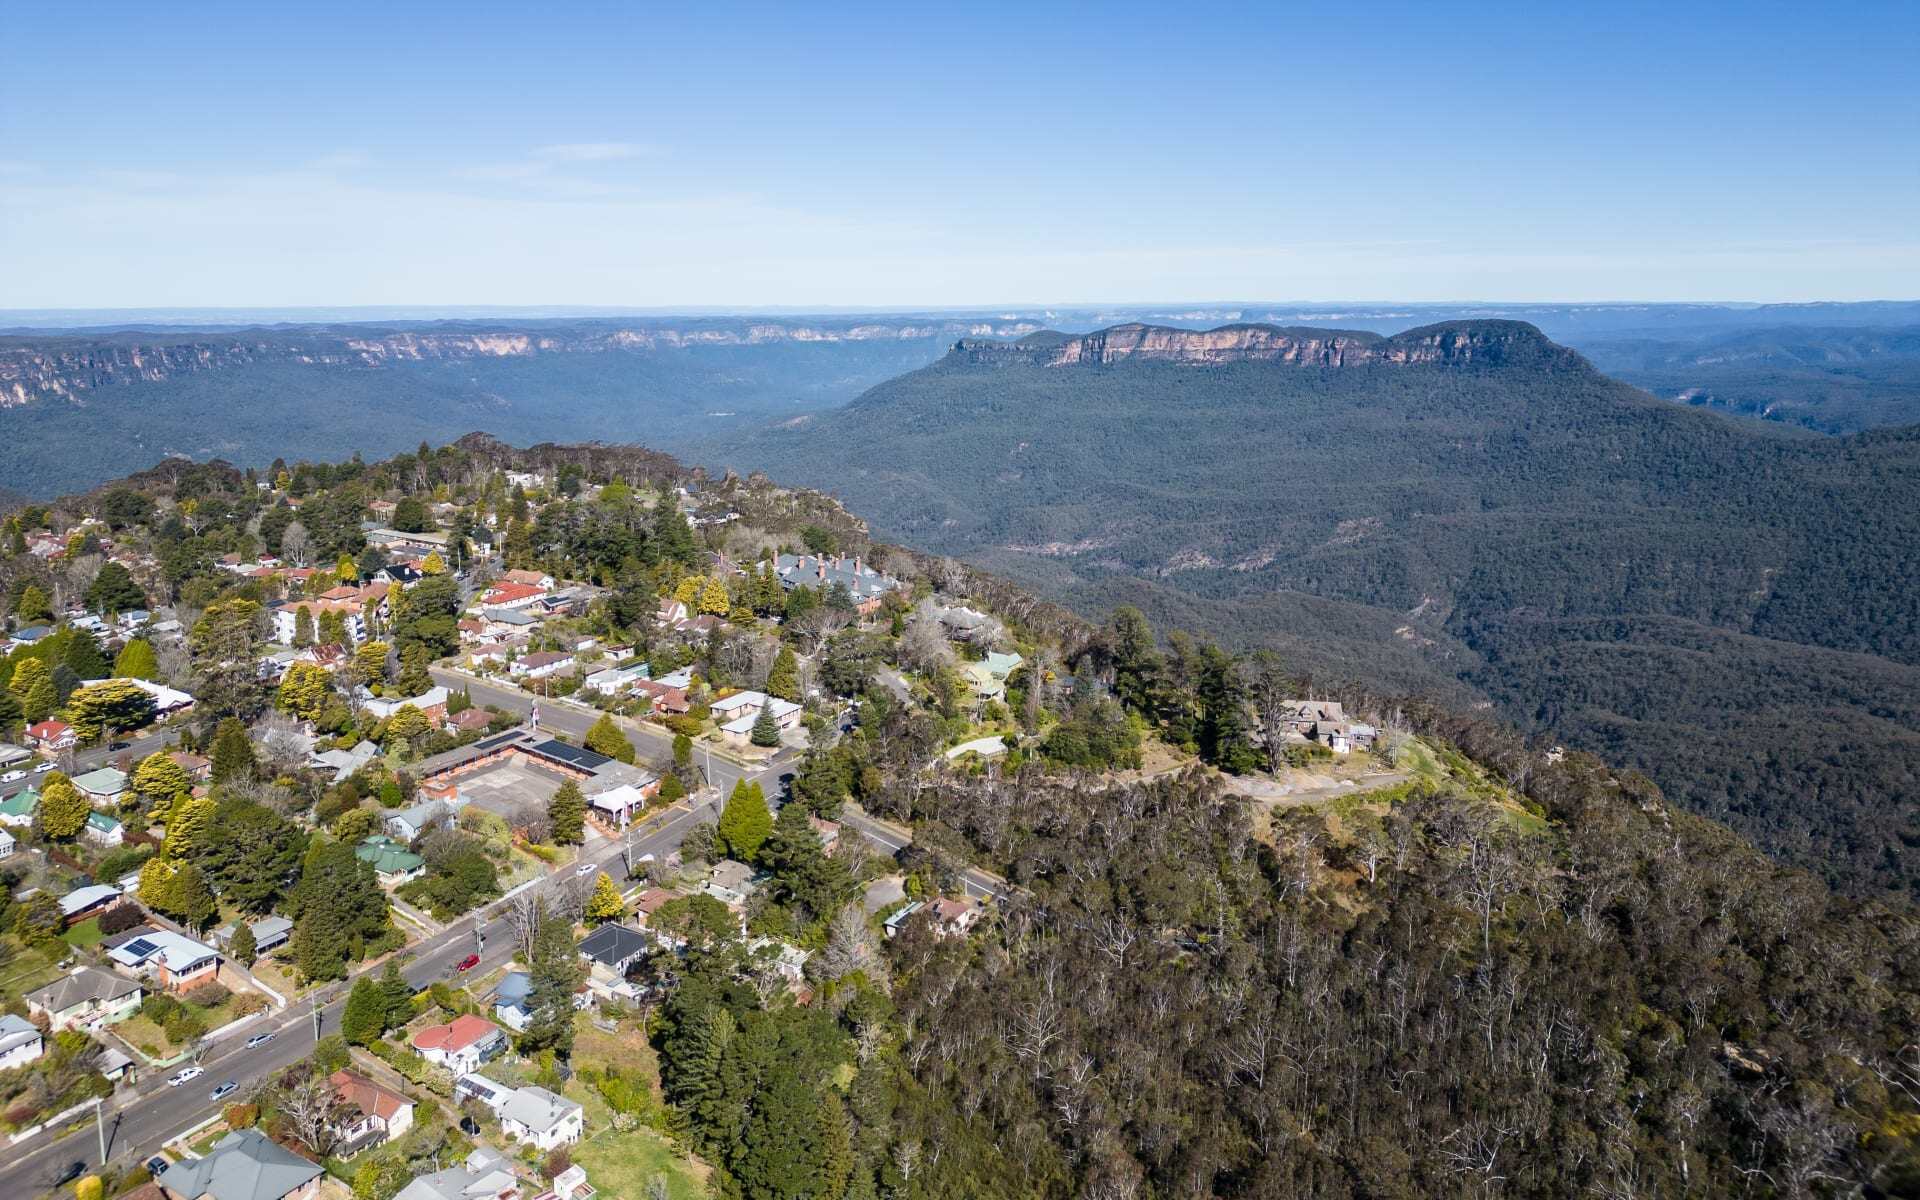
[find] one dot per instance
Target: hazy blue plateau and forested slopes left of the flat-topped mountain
(97, 402)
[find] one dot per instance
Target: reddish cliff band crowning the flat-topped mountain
(1456, 343)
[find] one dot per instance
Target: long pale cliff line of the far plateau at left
(72, 368)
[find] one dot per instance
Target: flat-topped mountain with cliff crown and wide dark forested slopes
(1464, 508)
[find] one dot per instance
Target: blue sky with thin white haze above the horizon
(892, 156)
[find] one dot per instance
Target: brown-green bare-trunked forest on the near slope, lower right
(1454, 1001)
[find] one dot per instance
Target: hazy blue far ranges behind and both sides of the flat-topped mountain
(97, 393)
